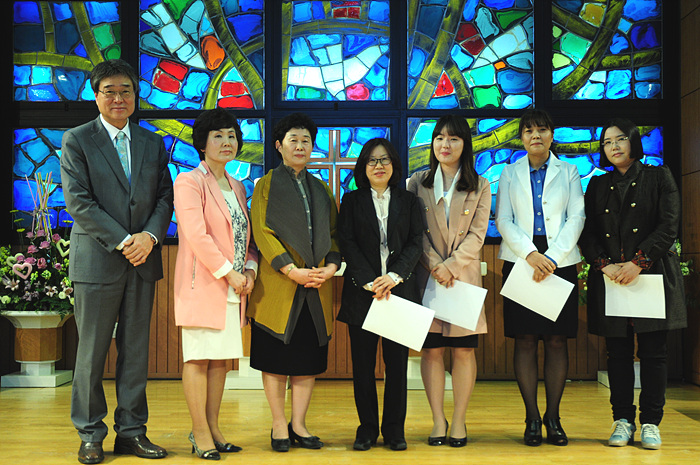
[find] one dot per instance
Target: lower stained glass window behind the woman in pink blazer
(177, 135)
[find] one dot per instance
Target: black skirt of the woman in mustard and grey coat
(301, 357)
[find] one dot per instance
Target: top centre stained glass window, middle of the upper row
(337, 50)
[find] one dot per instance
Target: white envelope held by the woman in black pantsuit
(399, 320)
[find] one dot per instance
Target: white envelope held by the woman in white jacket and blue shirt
(546, 298)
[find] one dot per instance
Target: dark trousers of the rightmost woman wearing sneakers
(651, 350)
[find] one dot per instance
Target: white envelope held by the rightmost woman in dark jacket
(642, 298)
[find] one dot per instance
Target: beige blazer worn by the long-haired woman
(459, 246)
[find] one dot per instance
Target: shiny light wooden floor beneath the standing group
(35, 428)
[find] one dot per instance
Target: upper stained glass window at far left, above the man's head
(56, 45)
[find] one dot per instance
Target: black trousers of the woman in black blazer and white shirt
(363, 345)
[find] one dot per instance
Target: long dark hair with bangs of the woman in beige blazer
(455, 126)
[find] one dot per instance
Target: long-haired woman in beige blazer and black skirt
(456, 203)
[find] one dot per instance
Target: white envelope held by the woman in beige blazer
(459, 305)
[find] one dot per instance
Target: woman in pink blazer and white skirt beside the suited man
(215, 270)
